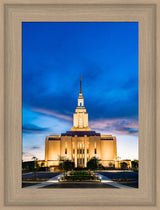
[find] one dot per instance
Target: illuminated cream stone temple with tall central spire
(81, 143)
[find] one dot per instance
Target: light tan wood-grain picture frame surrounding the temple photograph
(13, 13)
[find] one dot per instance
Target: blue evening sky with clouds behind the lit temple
(54, 55)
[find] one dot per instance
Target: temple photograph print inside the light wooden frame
(80, 105)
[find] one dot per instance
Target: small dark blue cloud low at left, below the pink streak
(30, 128)
